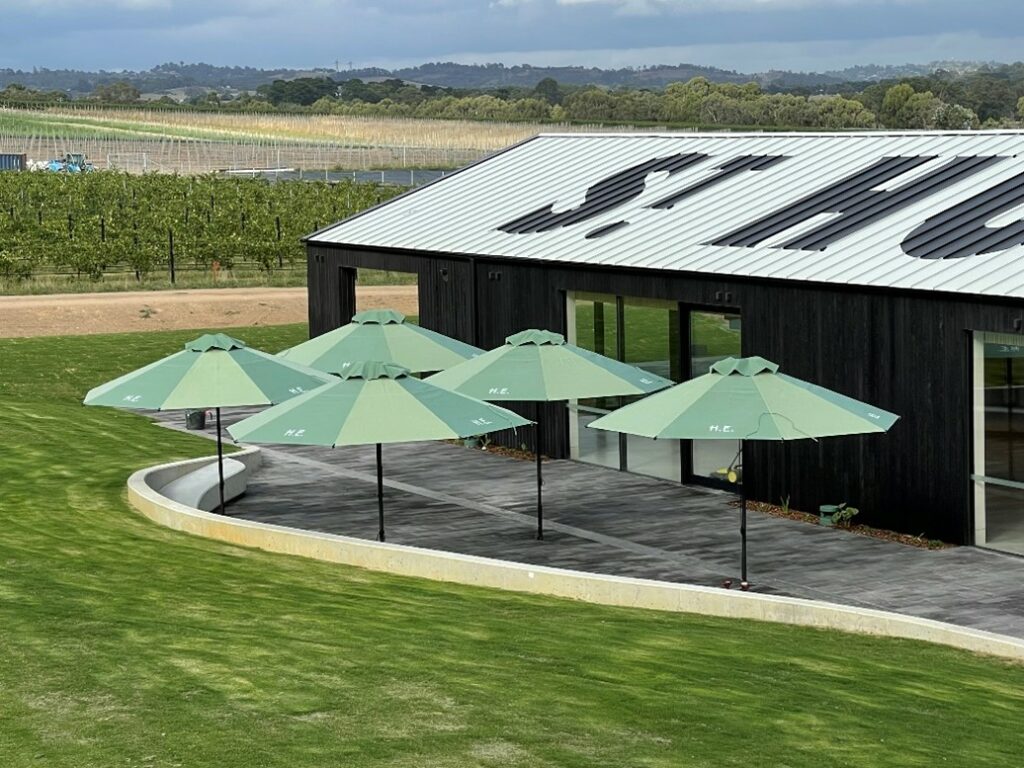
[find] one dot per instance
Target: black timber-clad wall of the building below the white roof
(907, 353)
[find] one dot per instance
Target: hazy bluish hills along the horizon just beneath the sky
(447, 74)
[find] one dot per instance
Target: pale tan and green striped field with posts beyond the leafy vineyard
(205, 142)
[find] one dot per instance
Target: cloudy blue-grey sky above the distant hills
(745, 35)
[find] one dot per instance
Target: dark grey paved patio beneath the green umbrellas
(448, 497)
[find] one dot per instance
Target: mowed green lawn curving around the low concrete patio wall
(126, 645)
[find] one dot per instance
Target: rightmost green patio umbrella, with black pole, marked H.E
(746, 399)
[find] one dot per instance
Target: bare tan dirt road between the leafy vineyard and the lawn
(158, 311)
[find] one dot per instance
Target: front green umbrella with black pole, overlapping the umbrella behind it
(375, 403)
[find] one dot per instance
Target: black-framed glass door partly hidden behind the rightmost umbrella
(714, 336)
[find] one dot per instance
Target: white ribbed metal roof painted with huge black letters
(921, 211)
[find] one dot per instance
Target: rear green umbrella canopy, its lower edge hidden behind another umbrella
(381, 335)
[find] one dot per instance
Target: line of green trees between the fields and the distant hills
(944, 101)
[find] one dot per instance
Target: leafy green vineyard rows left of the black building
(99, 225)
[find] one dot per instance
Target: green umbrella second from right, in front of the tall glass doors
(541, 367)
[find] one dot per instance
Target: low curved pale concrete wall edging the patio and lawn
(595, 588)
